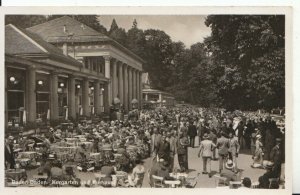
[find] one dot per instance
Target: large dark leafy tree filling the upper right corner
(248, 54)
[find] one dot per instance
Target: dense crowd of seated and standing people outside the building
(164, 135)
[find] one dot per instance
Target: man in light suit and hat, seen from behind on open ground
(206, 151)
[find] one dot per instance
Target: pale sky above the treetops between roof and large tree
(188, 29)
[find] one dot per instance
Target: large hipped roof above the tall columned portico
(67, 29)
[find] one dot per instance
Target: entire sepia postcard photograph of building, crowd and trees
(145, 101)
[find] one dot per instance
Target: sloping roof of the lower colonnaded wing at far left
(21, 42)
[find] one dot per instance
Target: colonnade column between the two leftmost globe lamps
(31, 94)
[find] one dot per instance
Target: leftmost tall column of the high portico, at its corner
(108, 88)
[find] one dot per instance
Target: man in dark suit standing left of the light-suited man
(182, 151)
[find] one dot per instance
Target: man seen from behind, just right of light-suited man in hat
(223, 146)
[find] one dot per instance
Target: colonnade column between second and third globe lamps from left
(54, 96)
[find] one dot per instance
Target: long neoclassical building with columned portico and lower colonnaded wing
(65, 69)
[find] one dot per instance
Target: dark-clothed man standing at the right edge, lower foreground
(276, 157)
